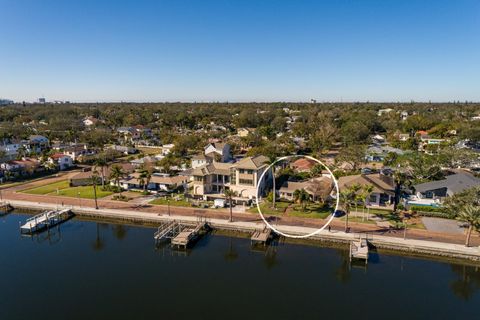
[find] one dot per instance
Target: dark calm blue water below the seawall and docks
(102, 271)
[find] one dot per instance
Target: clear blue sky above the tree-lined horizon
(240, 50)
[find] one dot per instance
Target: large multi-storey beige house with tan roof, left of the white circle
(211, 180)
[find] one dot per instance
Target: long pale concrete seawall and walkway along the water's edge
(390, 244)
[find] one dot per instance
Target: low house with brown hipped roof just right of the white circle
(383, 193)
